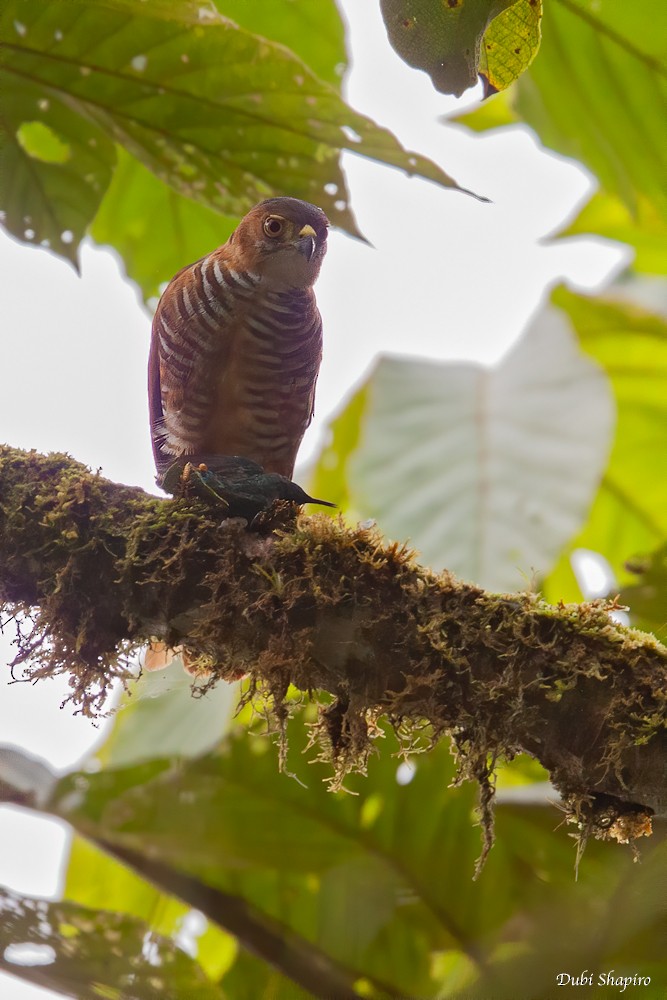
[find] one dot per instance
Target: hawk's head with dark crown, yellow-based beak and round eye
(284, 240)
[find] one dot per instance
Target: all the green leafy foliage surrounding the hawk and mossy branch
(123, 119)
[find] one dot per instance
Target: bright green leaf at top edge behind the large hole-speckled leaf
(313, 31)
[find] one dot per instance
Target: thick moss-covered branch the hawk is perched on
(101, 568)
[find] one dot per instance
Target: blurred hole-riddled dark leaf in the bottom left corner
(89, 954)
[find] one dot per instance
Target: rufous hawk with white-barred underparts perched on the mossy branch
(237, 343)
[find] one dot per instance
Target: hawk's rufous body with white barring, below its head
(233, 366)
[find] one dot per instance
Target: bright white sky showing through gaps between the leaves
(468, 277)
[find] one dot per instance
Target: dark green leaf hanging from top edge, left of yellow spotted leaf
(444, 39)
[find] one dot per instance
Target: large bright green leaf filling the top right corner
(597, 92)
